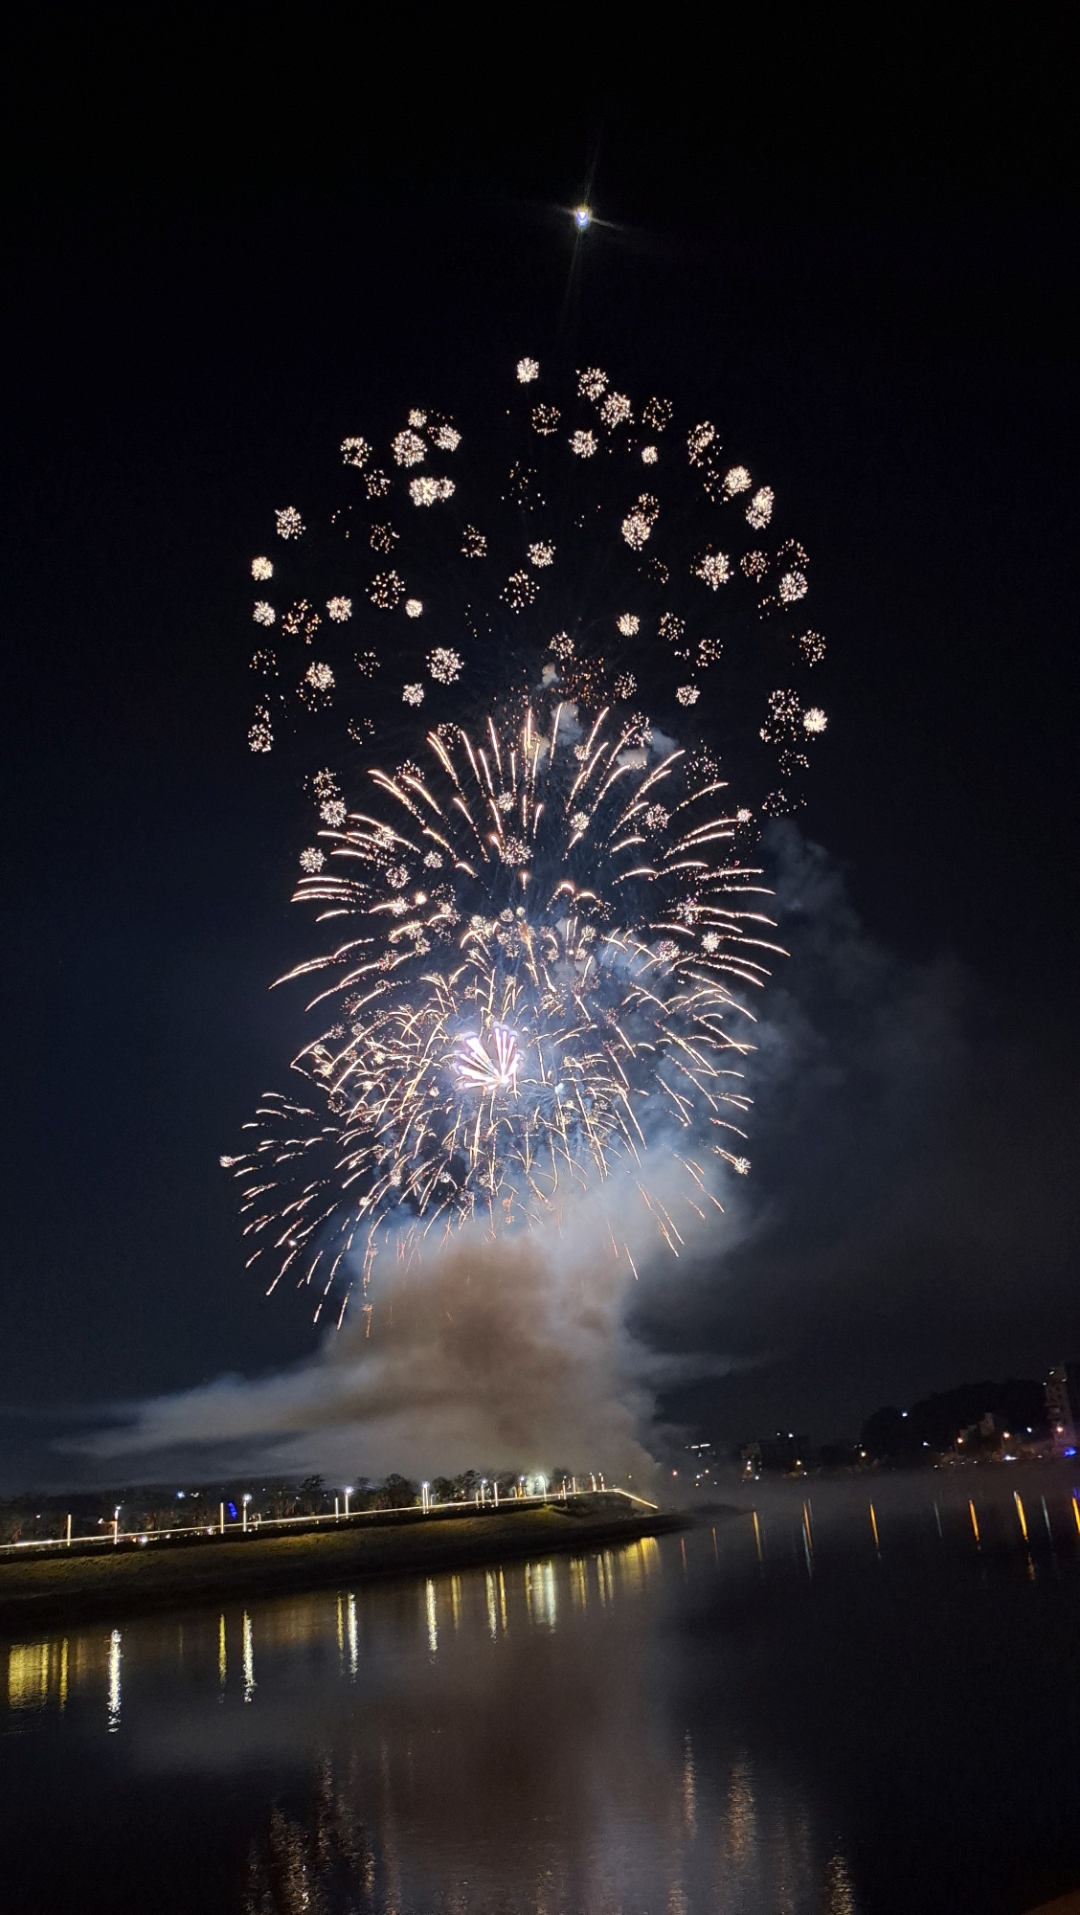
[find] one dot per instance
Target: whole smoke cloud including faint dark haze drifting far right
(901, 1198)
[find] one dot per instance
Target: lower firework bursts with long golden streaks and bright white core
(535, 987)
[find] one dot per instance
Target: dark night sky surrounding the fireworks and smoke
(227, 235)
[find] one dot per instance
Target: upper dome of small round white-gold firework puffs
(535, 526)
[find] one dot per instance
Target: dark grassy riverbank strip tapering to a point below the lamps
(171, 1575)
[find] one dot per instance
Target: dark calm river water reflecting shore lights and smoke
(821, 1711)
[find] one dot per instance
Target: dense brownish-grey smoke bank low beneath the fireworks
(506, 1355)
